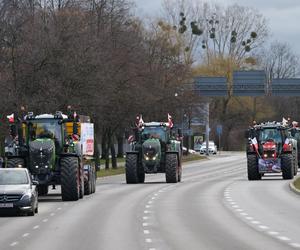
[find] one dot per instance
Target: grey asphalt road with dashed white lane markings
(215, 207)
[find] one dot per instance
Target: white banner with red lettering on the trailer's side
(87, 138)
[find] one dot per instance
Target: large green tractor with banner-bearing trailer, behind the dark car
(56, 149)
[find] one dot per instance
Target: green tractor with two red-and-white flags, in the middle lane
(155, 149)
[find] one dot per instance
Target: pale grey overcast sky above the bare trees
(283, 16)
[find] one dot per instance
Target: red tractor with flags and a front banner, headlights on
(271, 150)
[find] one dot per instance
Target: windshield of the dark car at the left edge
(13, 177)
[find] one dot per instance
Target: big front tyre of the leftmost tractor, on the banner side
(70, 179)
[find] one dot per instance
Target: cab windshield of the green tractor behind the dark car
(45, 128)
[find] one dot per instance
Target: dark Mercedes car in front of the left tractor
(17, 191)
